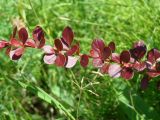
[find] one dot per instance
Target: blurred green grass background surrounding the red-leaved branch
(31, 90)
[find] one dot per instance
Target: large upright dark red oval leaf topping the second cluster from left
(68, 35)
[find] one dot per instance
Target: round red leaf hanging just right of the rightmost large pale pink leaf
(127, 73)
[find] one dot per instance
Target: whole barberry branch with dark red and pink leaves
(66, 54)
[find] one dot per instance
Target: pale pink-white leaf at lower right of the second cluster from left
(71, 61)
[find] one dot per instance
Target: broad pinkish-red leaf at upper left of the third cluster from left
(98, 45)
